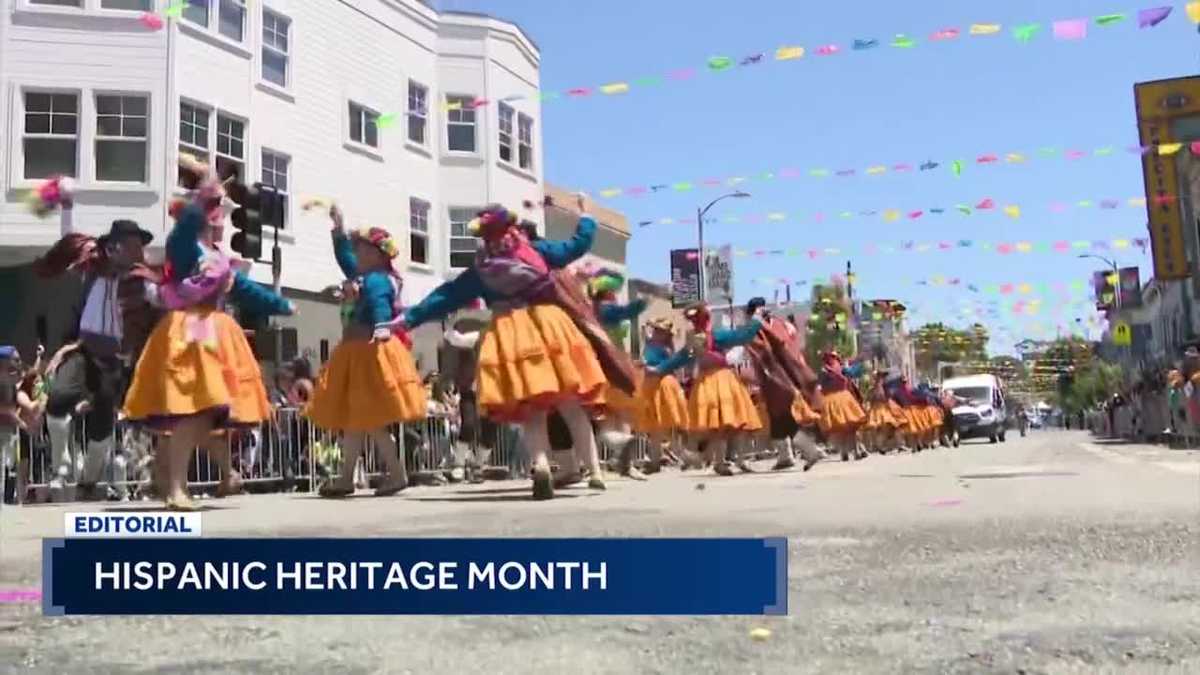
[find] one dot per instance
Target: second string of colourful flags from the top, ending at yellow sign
(926, 168)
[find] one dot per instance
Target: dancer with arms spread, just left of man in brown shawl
(721, 413)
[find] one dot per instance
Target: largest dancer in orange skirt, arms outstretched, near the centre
(533, 357)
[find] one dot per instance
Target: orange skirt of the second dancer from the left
(368, 386)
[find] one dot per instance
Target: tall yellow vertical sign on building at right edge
(1159, 104)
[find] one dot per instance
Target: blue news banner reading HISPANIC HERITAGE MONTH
(430, 577)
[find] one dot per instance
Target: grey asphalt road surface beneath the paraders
(1055, 554)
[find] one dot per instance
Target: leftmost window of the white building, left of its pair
(52, 135)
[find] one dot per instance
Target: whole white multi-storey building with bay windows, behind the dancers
(409, 118)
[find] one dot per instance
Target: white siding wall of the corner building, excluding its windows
(365, 51)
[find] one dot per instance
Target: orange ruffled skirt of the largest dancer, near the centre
(536, 359)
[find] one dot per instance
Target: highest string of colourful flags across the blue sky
(1064, 31)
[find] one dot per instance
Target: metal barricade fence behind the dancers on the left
(285, 455)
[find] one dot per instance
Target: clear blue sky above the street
(961, 99)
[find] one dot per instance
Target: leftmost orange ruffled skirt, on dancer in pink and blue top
(197, 362)
